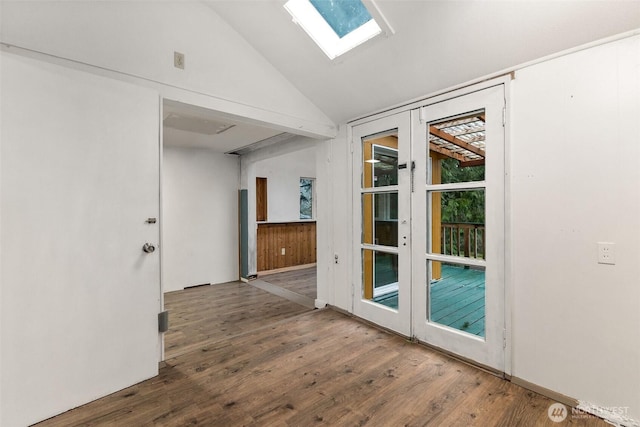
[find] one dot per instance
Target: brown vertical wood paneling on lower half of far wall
(297, 238)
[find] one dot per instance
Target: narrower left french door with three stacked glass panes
(382, 280)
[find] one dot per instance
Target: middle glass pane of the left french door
(380, 219)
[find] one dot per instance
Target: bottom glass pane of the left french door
(380, 277)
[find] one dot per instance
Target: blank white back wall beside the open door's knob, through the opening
(200, 217)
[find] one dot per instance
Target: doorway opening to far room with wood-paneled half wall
(286, 235)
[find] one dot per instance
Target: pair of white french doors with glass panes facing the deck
(430, 224)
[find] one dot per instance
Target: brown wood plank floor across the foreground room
(313, 368)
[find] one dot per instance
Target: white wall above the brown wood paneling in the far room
(283, 175)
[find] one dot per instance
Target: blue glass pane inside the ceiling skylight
(343, 16)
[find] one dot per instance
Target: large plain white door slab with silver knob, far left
(80, 175)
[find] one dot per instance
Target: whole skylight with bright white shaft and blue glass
(336, 26)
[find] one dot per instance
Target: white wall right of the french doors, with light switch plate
(575, 162)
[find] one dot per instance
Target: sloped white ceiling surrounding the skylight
(436, 45)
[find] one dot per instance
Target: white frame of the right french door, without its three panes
(488, 350)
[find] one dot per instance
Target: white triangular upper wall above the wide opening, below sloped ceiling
(123, 37)
